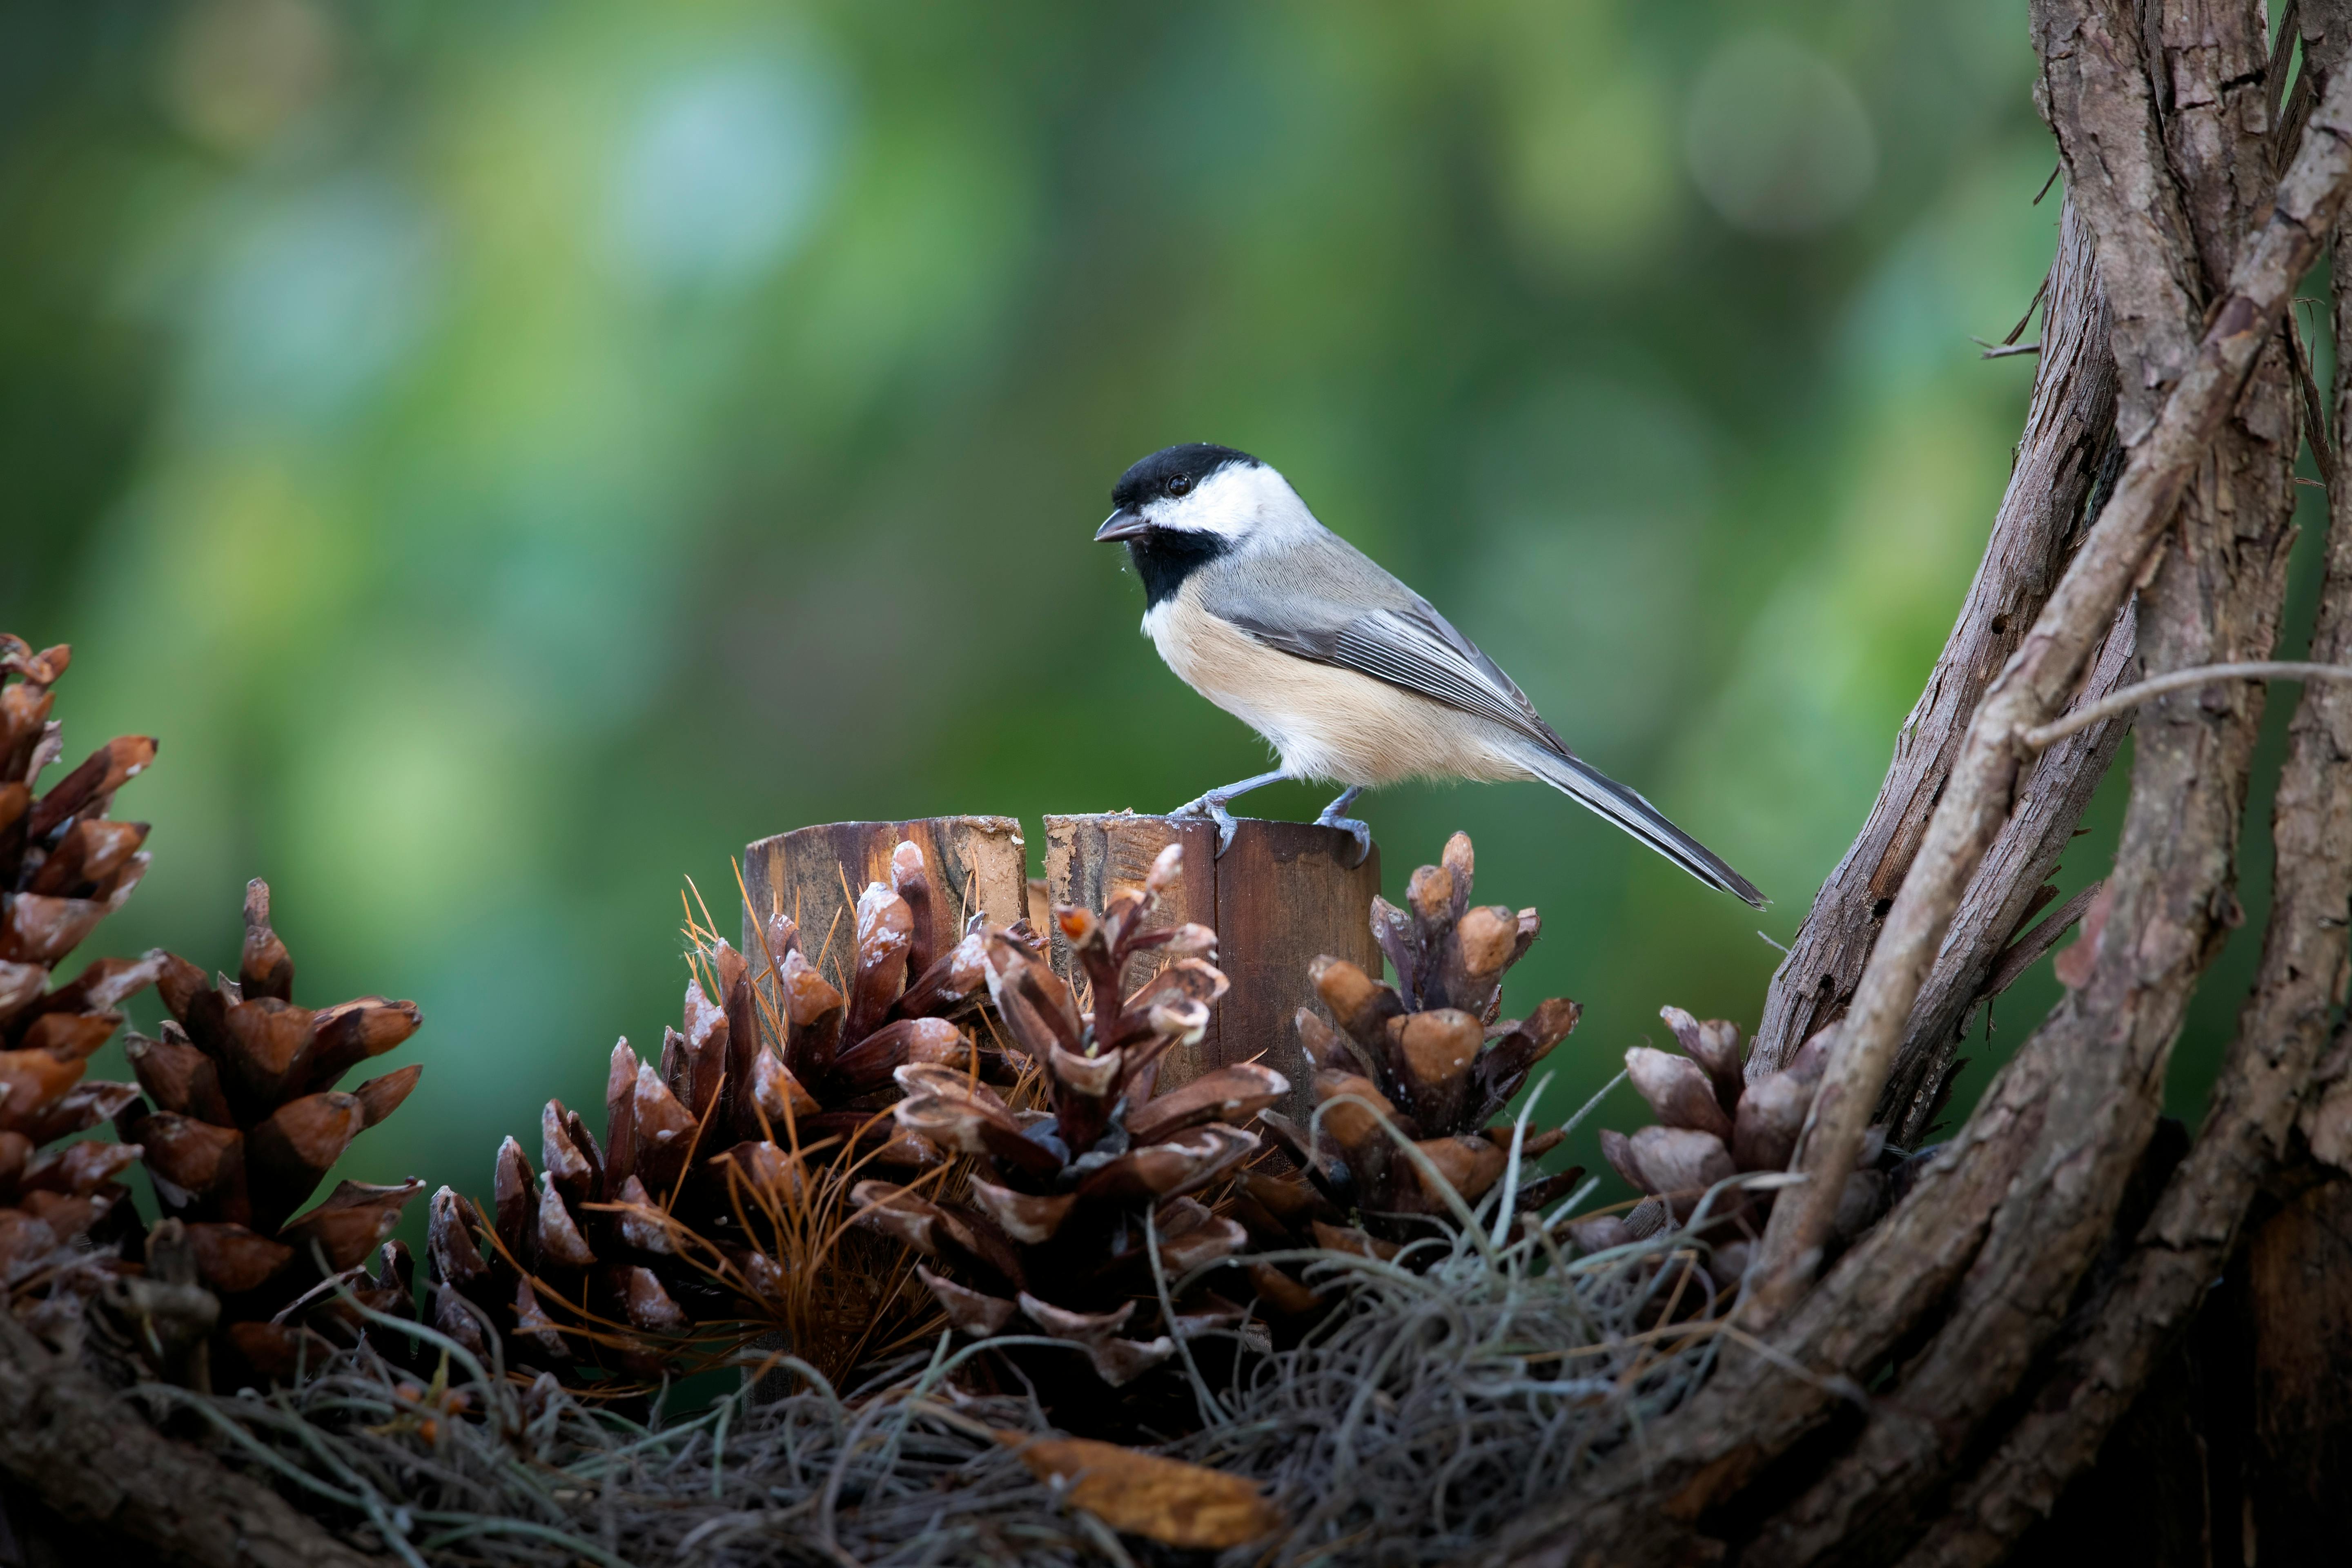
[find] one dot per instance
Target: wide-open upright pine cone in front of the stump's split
(1067, 1202)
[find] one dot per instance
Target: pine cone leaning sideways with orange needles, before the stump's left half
(695, 1209)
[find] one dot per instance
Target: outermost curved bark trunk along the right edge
(2280, 1038)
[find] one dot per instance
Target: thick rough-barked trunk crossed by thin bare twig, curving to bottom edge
(2217, 598)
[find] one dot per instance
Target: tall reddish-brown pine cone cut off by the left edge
(65, 866)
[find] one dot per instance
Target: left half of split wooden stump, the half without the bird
(817, 873)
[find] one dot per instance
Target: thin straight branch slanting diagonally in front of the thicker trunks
(2047, 666)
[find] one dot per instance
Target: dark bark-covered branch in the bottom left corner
(102, 1466)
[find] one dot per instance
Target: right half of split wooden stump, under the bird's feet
(1278, 899)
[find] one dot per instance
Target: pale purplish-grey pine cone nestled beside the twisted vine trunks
(1713, 1125)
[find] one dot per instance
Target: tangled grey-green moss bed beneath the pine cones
(1450, 1391)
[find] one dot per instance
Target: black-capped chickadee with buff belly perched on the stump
(1347, 671)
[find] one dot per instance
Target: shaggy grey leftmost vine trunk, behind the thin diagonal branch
(2066, 448)
